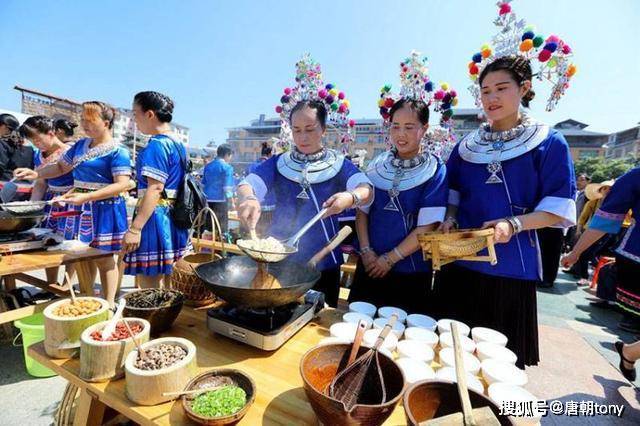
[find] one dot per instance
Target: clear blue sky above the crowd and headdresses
(224, 63)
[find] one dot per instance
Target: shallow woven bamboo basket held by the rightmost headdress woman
(463, 244)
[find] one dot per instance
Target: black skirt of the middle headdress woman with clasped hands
(411, 292)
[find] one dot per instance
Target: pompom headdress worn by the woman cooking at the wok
(310, 87)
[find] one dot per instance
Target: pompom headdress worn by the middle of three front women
(415, 84)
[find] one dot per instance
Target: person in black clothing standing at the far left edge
(14, 153)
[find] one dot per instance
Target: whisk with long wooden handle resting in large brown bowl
(347, 385)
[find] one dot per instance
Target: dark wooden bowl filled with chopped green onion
(226, 396)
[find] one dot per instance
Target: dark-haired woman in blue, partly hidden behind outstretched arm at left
(40, 131)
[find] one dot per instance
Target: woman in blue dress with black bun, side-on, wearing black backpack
(153, 243)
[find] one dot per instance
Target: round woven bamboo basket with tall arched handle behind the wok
(183, 276)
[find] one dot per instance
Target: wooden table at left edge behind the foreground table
(15, 267)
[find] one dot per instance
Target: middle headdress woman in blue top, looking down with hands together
(410, 198)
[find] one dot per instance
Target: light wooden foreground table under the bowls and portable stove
(280, 398)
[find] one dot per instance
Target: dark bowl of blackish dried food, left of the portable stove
(158, 306)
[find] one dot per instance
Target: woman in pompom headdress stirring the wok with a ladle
(307, 178)
